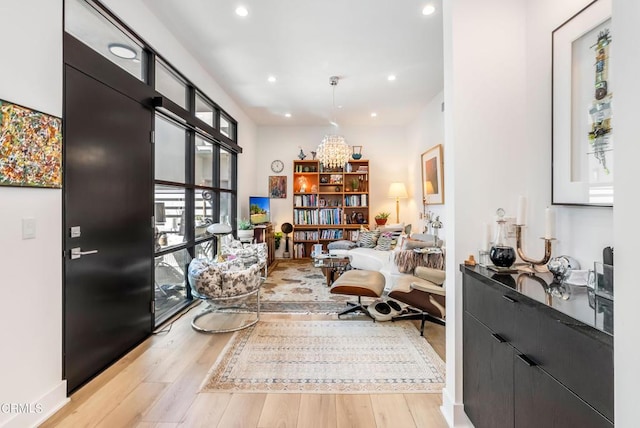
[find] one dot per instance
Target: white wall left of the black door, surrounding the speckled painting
(31, 287)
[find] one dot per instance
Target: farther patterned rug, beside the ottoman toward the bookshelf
(294, 285)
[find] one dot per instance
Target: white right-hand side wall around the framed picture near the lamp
(424, 132)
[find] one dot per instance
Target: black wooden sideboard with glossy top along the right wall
(527, 363)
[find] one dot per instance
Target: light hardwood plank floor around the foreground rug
(157, 383)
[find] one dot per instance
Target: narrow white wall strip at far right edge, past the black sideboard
(626, 32)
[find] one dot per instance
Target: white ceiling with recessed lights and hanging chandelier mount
(303, 43)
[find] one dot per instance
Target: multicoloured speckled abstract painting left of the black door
(30, 147)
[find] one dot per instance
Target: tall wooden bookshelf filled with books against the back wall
(328, 204)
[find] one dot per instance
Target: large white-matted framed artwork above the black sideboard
(582, 136)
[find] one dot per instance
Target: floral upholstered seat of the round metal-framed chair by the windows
(211, 280)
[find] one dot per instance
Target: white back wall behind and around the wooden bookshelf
(390, 159)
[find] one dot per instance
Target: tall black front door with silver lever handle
(108, 196)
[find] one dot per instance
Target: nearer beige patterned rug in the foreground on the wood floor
(337, 356)
